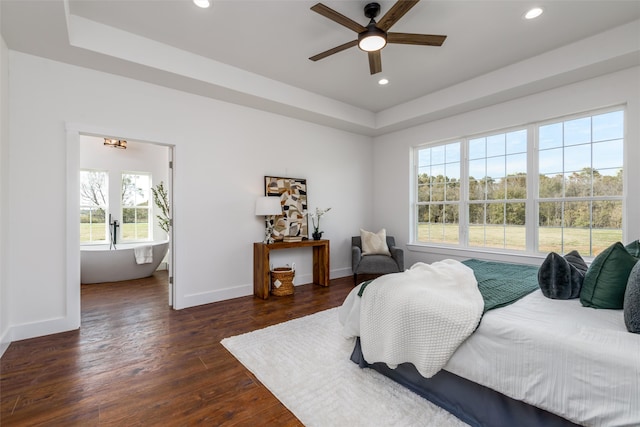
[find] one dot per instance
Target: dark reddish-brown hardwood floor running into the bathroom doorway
(135, 361)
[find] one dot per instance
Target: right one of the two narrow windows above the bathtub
(136, 189)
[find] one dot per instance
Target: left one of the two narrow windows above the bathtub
(94, 202)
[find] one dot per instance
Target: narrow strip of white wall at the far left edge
(5, 339)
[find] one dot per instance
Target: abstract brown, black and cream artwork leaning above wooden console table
(292, 225)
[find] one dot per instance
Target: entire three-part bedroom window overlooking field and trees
(486, 190)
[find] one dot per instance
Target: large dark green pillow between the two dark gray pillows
(606, 279)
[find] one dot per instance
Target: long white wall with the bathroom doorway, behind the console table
(222, 152)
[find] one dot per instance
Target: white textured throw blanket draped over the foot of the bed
(419, 316)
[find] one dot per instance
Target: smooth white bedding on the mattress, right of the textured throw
(577, 362)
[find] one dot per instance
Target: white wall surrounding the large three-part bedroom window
(392, 198)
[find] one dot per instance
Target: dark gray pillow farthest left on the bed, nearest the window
(561, 277)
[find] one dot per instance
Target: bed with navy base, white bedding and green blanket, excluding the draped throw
(533, 361)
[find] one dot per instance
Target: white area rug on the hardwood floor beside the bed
(305, 363)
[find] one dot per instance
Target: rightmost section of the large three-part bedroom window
(580, 185)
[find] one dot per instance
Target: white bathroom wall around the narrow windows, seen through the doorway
(138, 157)
